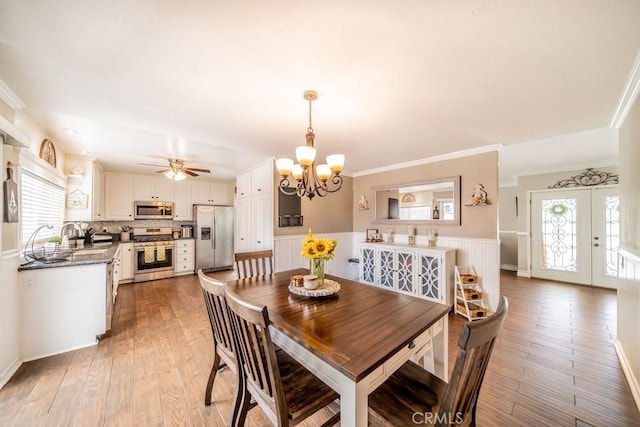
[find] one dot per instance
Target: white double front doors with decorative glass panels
(575, 235)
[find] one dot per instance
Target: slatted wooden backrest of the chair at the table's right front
(475, 344)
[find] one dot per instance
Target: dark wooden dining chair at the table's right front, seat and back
(413, 395)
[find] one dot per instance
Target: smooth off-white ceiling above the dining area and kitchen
(220, 83)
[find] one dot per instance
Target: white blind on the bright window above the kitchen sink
(42, 203)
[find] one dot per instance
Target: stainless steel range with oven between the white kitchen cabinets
(154, 253)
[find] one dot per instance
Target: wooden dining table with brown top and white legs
(355, 339)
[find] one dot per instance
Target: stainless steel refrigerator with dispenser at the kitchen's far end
(214, 237)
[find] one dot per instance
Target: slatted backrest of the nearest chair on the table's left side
(259, 360)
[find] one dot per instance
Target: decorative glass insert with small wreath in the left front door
(559, 235)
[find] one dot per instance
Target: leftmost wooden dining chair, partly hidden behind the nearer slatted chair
(221, 328)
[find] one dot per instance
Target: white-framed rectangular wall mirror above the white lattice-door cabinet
(430, 202)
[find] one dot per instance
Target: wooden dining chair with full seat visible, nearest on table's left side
(285, 390)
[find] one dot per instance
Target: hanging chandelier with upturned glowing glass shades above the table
(310, 180)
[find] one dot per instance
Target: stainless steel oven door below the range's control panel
(153, 262)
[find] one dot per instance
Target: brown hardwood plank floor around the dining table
(553, 364)
